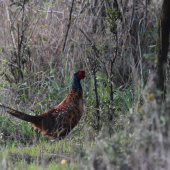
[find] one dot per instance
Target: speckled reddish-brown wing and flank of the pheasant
(59, 121)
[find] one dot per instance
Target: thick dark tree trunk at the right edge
(162, 46)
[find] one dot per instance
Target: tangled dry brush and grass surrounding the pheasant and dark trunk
(125, 123)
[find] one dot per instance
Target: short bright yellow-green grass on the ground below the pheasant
(41, 154)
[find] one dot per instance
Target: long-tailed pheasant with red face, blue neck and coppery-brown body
(59, 121)
